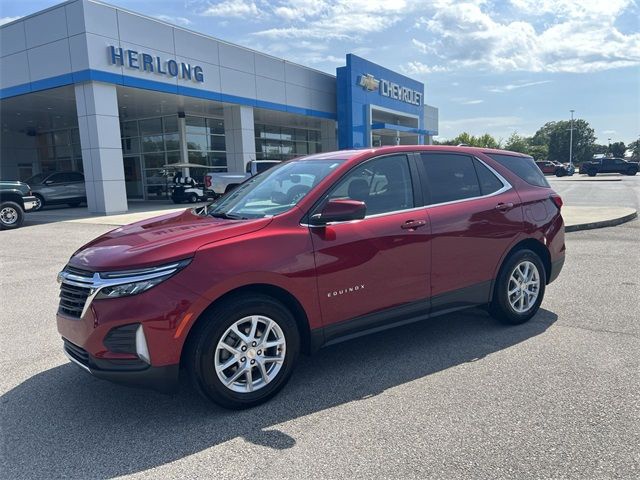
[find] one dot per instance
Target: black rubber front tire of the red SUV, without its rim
(202, 343)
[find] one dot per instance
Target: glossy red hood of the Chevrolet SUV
(159, 240)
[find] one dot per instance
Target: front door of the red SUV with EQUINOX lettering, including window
(379, 262)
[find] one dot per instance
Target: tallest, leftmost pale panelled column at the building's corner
(99, 124)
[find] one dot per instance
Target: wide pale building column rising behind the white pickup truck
(240, 139)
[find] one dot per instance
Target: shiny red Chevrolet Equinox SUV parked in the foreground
(316, 250)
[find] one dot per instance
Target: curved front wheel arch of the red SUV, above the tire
(278, 293)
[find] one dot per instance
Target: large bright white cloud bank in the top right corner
(580, 36)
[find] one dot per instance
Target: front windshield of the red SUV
(275, 191)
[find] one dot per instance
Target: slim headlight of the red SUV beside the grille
(133, 282)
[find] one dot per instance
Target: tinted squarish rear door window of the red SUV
(450, 177)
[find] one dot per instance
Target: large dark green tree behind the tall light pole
(556, 136)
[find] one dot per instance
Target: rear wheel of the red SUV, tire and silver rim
(519, 289)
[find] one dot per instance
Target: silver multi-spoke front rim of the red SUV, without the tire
(250, 354)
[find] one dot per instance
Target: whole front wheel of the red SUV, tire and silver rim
(243, 351)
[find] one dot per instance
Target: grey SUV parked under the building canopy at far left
(58, 188)
